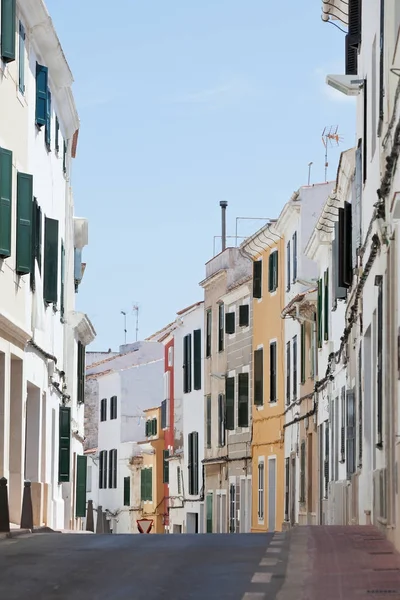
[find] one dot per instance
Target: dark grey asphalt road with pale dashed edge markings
(54, 566)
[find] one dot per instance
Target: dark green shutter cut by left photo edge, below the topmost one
(5, 202)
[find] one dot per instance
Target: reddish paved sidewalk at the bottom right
(341, 563)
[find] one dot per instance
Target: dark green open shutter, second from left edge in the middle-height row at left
(24, 223)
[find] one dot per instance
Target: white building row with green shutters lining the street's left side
(42, 337)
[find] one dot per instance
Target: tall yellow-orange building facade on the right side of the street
(266, 249)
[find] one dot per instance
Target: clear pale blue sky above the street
(183, 104)
